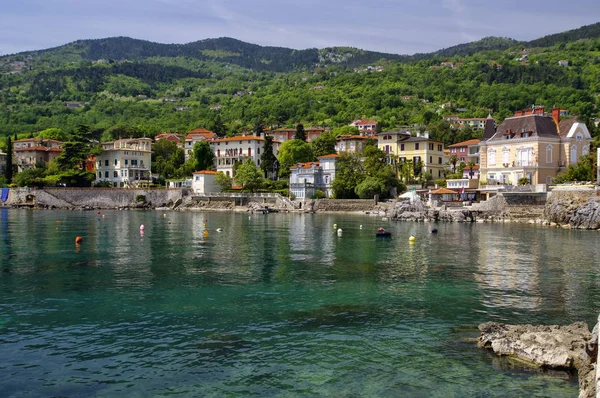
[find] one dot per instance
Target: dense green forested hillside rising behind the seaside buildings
(227, 85)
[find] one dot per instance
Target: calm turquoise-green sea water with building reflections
(278, 305)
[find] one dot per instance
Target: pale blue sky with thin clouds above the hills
(391, 26)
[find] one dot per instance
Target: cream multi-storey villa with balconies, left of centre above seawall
(125, 163)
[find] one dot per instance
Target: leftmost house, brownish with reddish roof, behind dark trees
(32, 152)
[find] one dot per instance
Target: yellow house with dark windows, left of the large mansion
(401, 146)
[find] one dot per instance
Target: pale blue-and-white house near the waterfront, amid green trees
(307, 178)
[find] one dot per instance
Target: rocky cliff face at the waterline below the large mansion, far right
(579, 210)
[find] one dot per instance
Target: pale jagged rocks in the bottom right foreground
(571, 347)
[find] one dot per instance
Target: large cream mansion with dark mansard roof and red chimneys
(532, 145)
